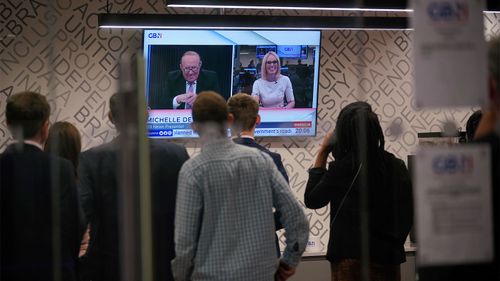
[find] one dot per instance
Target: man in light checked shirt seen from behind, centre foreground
(224, 224)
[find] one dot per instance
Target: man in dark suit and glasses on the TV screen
(184, 84)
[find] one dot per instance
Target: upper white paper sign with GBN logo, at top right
(450, 53)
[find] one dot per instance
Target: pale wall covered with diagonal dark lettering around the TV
(374, 66)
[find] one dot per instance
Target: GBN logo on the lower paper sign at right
(453, 164)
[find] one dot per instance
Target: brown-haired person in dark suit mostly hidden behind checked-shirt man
(245, 112)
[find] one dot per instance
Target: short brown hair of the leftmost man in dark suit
(26, 112)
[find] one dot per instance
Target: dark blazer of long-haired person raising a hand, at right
(390, 207)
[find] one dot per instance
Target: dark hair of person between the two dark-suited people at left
(64, 141)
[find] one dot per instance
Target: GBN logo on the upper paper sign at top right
(448, 13)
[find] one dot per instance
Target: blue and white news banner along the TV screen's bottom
(276, 122)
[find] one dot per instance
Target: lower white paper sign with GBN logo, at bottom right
(453, 205)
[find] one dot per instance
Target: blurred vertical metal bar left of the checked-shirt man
(134, 188)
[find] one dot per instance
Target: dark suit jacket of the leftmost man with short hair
(26, 213)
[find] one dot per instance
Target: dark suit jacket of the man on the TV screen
(175, 84)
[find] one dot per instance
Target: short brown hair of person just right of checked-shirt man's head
(245, 110)
